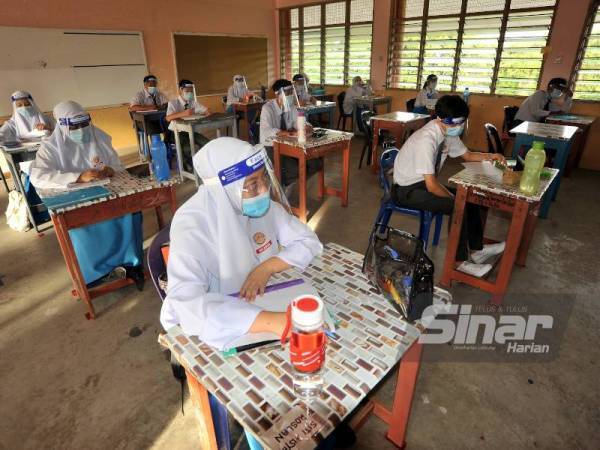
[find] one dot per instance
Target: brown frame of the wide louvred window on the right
(395, 38)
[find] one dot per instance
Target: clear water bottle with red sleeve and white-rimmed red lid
(307, 346)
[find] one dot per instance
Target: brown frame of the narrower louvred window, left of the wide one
(285, 34)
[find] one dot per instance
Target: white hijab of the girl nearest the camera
(217, 209)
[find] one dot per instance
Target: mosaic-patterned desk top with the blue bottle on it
(121, 185)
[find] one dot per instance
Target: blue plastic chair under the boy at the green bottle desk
(388, 206)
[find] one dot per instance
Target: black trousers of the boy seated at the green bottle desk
(417, 196)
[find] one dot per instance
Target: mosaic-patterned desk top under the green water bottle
(488, 183)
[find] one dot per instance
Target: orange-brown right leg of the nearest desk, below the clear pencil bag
(404, 393)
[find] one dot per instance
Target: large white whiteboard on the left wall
(94, 68)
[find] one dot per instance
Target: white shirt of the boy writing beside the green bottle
(418, 155)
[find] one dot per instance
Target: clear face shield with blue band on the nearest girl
(252, 184)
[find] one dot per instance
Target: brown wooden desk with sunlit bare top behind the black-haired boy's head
(399, 123)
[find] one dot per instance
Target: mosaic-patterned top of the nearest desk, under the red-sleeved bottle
(256, 386)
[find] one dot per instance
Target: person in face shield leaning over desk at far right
(556, 99)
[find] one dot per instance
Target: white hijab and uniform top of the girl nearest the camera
(214, 248)
